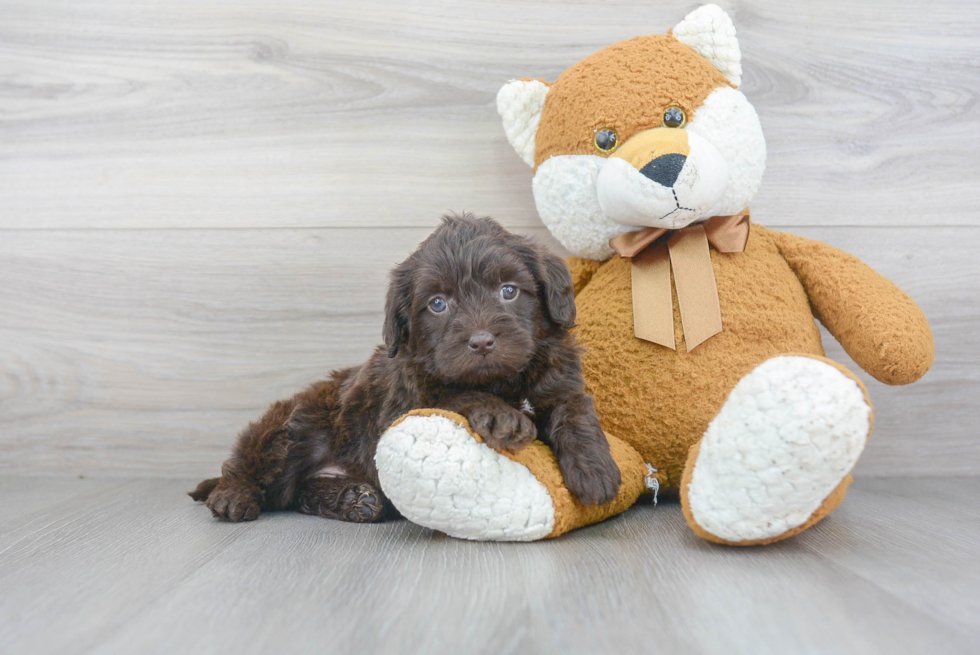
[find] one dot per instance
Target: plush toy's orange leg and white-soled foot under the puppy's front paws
(439, 474)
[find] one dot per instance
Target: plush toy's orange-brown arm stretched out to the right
(879, 326)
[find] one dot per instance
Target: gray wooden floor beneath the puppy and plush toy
(134, 566)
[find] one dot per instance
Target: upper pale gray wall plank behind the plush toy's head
(297, 113)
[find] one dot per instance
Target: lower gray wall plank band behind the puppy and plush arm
(145, 352)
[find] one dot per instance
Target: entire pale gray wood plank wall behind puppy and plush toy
(199, 202)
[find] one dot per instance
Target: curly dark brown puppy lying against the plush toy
(476, 321)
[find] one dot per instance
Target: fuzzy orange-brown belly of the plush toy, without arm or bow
(660, 400)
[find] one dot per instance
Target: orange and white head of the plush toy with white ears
(649, 132)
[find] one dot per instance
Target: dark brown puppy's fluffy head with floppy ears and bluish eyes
(473, 302)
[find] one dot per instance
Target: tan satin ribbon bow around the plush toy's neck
(686, 251)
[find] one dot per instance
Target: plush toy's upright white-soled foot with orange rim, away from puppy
(777, 457)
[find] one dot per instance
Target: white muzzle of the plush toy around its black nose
(629, 197)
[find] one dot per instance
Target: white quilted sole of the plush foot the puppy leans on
(438, 475)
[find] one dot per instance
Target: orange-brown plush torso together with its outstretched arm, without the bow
(660, 401)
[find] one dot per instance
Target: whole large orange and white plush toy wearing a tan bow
(702, 351)
